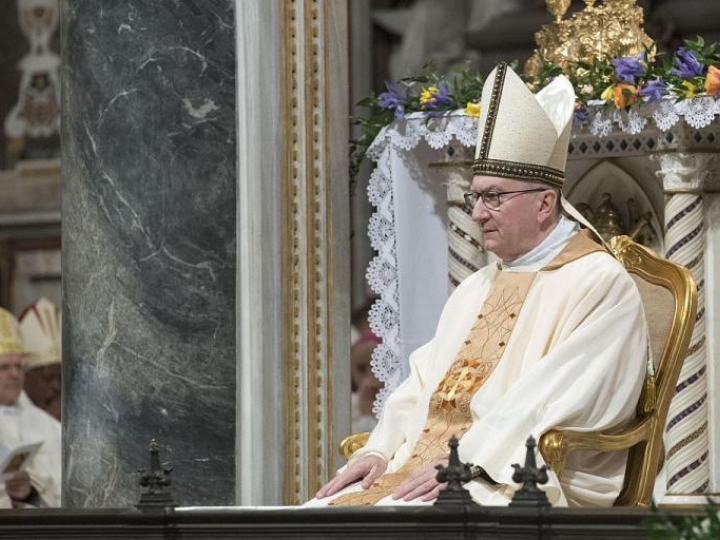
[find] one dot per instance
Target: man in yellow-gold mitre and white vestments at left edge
(23, 423)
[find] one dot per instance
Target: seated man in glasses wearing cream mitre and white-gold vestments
(551, 336)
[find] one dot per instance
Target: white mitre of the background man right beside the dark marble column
(40, 329)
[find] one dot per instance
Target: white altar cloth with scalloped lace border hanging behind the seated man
(408, 224)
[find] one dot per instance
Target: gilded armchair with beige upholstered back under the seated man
(669, 297)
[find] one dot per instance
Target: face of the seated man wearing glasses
(514, 228)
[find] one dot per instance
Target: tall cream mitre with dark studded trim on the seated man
(522, 135)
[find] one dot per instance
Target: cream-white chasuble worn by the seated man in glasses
(575, 358)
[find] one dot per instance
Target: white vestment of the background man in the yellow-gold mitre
(23, 424)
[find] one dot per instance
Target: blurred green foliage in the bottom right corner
(659, 527)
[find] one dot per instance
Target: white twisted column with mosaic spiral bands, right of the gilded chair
(691, 239)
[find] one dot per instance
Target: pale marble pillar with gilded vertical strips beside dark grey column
(293, 247)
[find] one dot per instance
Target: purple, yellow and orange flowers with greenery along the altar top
(693, 70)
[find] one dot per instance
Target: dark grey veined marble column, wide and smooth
(149, 247)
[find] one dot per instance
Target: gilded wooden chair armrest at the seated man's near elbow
(555, 444)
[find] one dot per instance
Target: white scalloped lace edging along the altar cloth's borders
(438, 132)
